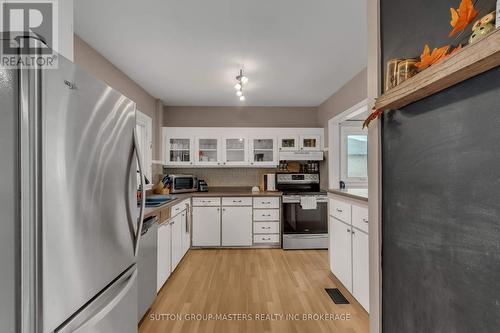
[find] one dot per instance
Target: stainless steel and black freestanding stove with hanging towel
(304, 210)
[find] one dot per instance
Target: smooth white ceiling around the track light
(188, 52)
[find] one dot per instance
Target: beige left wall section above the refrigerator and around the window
(94, 63)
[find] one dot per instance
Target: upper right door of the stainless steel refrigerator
(88, 189)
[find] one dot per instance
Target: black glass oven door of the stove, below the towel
(305, 221)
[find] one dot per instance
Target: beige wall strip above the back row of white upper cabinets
(240, 117)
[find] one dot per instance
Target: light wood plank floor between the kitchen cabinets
(252, 282)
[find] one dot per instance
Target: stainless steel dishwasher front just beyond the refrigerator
(146, 265)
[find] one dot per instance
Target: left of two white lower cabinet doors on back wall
(206, 226)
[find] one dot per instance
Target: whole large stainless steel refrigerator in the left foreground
(69, 218)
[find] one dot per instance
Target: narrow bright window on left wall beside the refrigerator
(144, 130)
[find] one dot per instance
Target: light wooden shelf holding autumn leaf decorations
(470, 61)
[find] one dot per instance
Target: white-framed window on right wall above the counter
(353, 154)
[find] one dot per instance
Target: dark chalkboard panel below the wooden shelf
(441, 211)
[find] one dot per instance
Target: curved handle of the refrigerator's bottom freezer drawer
(102, 307)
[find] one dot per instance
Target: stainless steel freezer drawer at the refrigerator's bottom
(111, 312)
